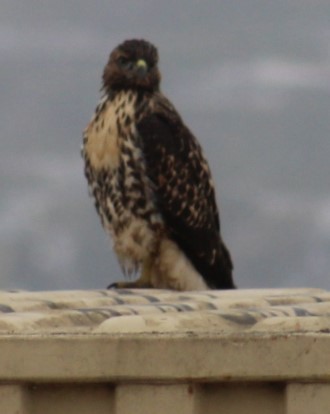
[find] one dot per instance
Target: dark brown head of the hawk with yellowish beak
(132, 65)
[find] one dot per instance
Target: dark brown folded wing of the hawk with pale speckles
(185, 194)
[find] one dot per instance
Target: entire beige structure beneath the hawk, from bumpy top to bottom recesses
(147, 351)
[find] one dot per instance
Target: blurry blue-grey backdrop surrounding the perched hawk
(251, 78)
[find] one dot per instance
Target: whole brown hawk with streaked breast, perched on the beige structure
(150, 181)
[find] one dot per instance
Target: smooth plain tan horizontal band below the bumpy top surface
(165, 358)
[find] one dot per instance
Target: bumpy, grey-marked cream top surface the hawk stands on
(128, 311)
